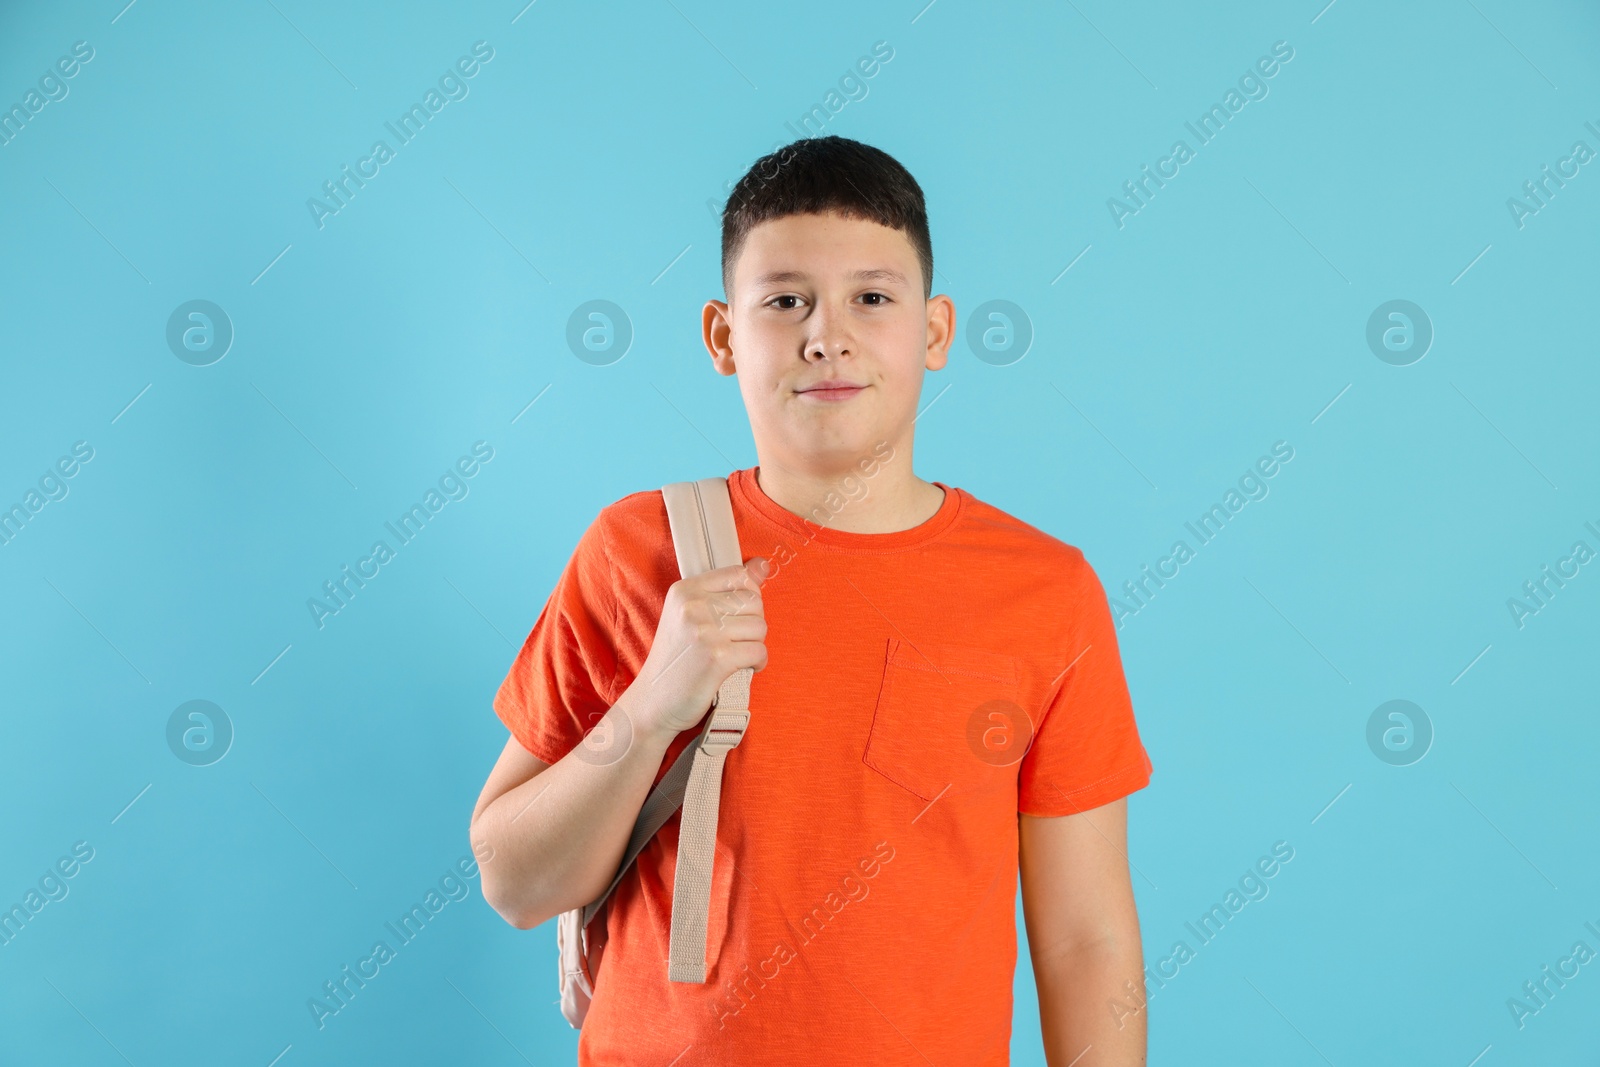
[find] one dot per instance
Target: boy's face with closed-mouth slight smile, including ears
(823, 298)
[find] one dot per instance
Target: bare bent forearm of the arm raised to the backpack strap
(556, 841)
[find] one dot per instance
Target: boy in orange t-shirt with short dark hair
(938, 701)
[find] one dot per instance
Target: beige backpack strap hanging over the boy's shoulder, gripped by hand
(705, 538)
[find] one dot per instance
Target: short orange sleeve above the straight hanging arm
(1087, 749)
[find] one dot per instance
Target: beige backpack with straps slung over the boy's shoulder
(705, 538)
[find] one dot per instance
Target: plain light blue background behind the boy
(1226, 316)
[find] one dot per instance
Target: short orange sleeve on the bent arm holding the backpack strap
(558, 687)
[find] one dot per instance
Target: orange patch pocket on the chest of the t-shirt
(935, 725)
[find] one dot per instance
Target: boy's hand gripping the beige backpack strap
(711, 626)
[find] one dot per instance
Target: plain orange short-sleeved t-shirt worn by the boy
(922, 689)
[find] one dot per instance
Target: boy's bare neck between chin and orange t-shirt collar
(895, 498)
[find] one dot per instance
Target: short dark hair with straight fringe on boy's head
(831, 174)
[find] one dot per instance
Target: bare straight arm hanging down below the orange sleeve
(1084, 937)
